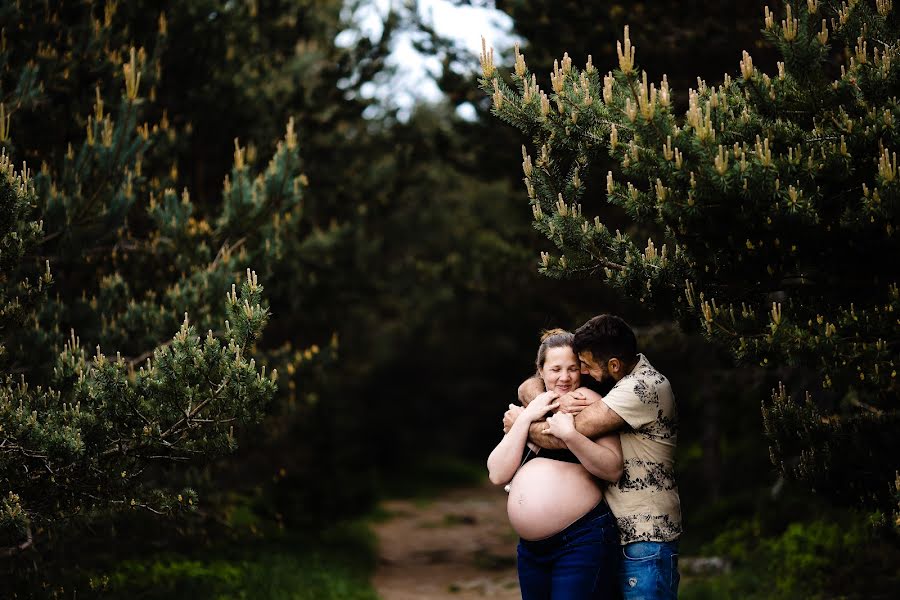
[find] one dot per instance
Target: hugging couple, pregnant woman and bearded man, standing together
(591, 479)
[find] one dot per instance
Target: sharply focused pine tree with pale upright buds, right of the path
(774, 203)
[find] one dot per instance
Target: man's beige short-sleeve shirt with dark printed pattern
(645, 500)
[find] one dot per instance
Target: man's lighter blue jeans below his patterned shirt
(649, 571)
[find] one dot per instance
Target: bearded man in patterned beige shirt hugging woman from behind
(641, 407)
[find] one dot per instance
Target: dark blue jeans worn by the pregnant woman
(581, 562)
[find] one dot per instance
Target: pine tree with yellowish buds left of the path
(97, 245)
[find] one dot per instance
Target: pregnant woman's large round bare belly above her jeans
(546, 496)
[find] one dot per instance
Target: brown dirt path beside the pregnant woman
(458, 547)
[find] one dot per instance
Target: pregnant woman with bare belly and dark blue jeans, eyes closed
(568, 547)
